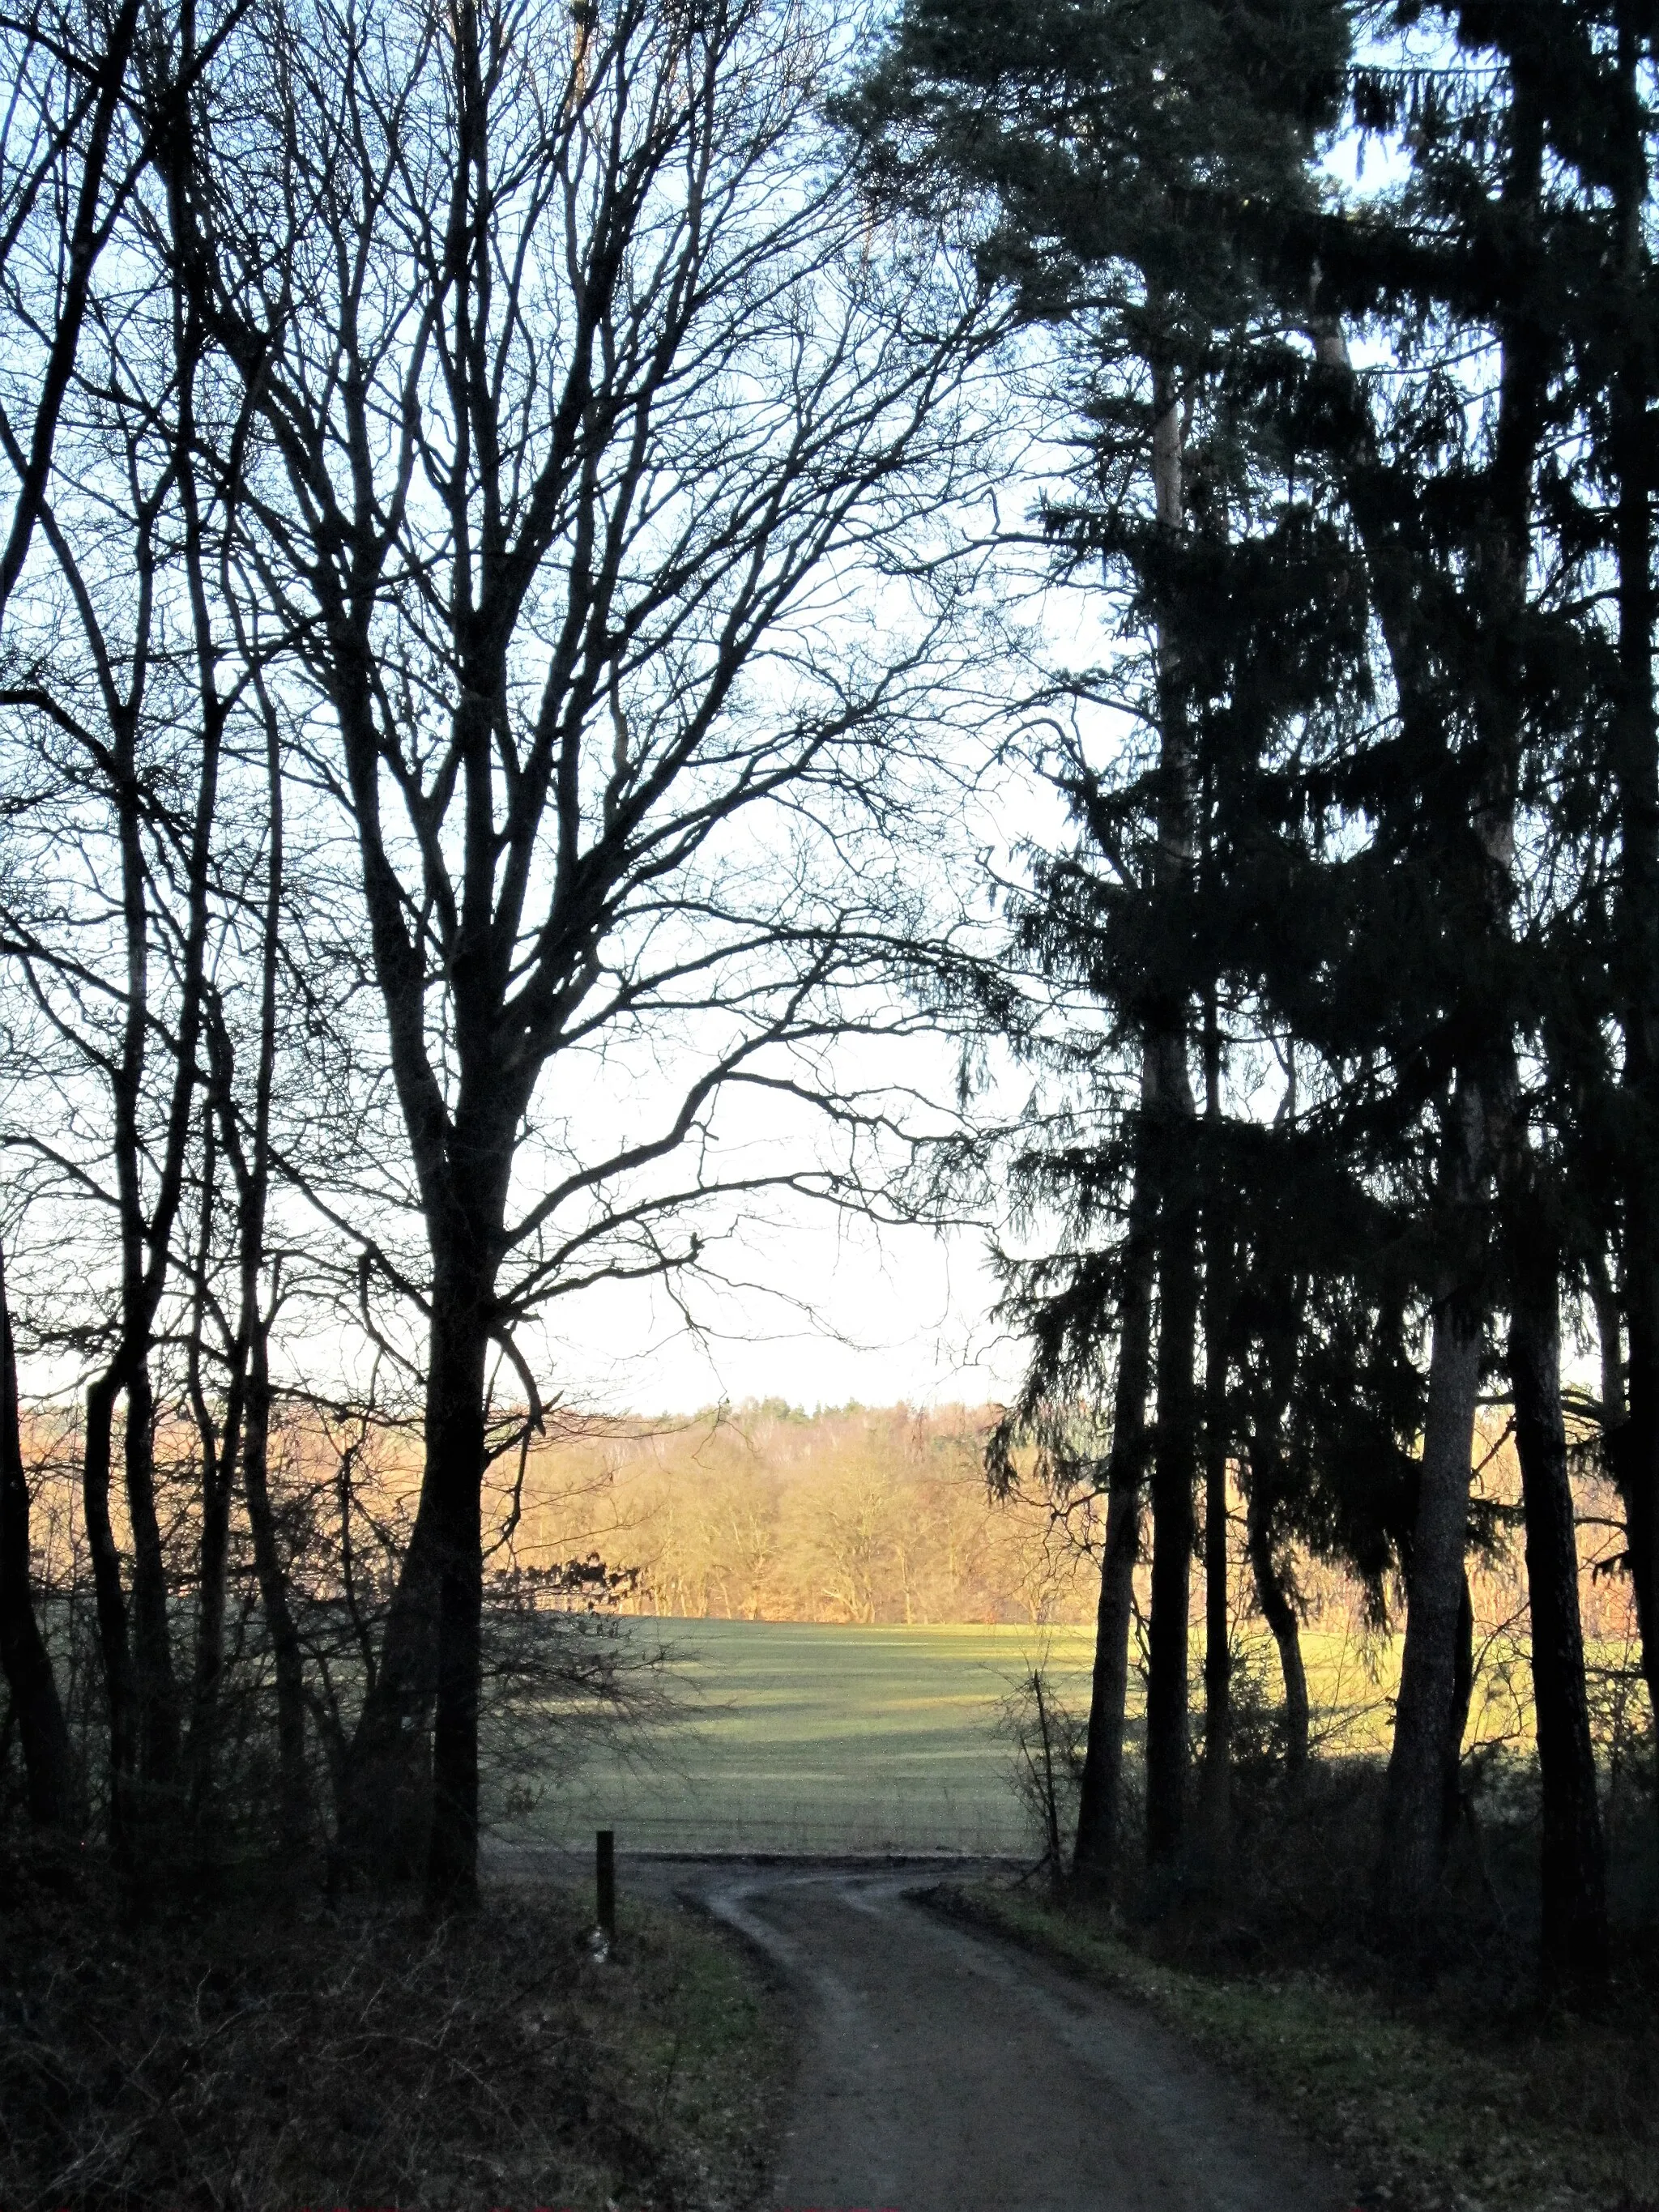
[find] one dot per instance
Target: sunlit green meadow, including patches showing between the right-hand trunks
(817, 1738)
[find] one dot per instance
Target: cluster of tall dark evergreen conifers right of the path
(1346, 983)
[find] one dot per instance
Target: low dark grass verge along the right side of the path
(1514, 2116)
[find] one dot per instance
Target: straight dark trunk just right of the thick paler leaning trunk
(1574, 1945)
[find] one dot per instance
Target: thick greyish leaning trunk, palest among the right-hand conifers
(1426, 1718)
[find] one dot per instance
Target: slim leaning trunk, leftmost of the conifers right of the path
(1103, 1786)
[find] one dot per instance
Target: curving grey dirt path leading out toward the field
(946, 2072)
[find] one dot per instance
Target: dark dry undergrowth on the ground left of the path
(271, 2054)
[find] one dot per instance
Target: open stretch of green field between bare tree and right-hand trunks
(800, 1738)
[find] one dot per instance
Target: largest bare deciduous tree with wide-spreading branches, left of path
(585, 397)
